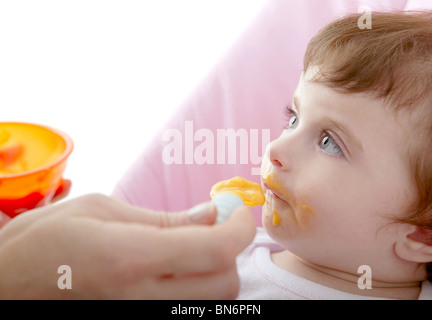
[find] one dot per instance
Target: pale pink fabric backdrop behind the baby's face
(247, 89)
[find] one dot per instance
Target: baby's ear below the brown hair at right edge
(414, 244)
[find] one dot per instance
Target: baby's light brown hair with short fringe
(390, 61)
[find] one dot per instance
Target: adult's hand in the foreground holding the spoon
(117, 251)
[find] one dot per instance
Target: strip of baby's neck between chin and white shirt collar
(344, 281)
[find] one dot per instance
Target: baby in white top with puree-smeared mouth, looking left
(348, 184)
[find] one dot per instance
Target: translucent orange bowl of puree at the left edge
(32, 162)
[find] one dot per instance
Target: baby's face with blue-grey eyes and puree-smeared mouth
(336, 177)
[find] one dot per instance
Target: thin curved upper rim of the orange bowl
(66, 153)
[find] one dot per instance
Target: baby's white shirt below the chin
(261, 279)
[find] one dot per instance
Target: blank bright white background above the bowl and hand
(109, 73)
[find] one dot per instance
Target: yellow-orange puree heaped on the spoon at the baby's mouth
(250, 192)
